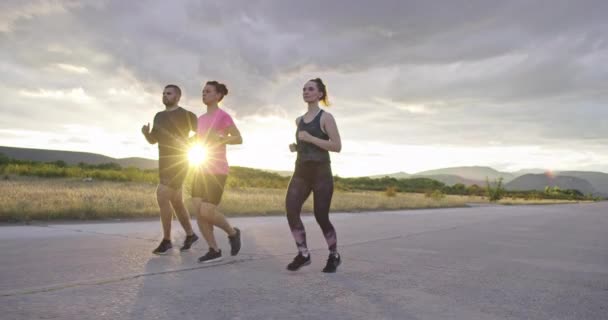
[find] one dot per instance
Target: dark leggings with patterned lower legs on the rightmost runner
(317, 178)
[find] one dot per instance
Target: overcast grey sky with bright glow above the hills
(415, 85)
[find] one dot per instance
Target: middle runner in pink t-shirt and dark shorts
(215, 130)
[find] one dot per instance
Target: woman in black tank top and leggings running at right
(316, 135)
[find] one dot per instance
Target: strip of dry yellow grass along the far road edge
(29, 198)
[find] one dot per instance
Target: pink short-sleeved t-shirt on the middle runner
(216, 122)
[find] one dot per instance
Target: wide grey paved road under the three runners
(489, 262)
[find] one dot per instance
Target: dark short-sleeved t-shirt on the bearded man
(171, 129)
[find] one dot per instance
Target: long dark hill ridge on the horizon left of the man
(73, 158)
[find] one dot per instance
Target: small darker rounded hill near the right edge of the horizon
(540, 181)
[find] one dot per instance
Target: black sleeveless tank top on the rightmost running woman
(308, 151)
